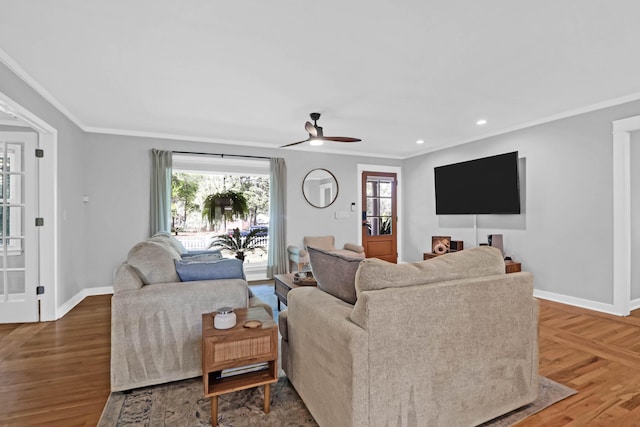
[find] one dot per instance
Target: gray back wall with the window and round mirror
(118, 182)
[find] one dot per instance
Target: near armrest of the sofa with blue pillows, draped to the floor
(156, 330)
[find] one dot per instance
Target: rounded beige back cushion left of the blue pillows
(153, 262)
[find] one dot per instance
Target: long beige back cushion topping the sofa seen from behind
(481, 261)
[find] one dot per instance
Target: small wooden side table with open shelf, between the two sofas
(224, 350)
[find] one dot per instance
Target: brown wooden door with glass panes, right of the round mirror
(379, 217)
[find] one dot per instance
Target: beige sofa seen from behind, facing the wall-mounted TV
(450, 342)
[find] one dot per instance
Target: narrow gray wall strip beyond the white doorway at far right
(635, 215)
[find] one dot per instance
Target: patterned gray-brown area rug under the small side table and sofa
(182, 404)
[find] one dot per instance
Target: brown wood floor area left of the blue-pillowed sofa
(57, 373)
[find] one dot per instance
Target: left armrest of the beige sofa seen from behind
(329, 356)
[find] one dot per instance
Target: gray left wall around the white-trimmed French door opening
(71, 183)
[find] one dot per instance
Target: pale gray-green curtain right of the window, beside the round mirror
(277, 261)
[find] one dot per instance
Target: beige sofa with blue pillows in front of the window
(156, 318)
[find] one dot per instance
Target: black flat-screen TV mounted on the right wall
(489, 185)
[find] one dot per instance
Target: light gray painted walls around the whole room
(563, 236)
